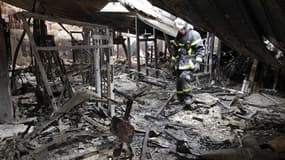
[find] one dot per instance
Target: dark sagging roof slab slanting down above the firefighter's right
(241, 24)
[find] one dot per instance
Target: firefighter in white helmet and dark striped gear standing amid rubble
(187, 55)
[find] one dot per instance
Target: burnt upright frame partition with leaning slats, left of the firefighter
(56, 81)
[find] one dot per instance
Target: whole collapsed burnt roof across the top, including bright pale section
(243, 25)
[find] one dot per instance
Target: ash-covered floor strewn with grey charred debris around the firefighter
(220, 124)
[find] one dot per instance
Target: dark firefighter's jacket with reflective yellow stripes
(189, 49)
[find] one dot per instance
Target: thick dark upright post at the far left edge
(6, 114)
